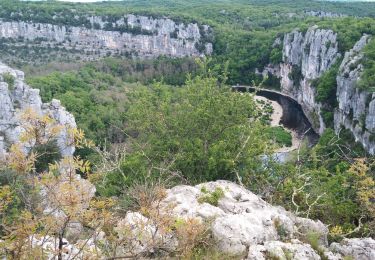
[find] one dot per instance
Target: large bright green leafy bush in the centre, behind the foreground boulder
(201, 131)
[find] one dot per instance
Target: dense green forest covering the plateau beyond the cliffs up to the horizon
(244, 31)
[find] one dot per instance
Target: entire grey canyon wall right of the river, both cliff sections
(306, 57)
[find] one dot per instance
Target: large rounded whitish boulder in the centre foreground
(241, 218)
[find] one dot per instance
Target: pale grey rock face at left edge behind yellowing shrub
(16, 97)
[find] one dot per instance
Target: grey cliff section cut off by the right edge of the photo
(356, 107)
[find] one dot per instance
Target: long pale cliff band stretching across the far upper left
(130, 35)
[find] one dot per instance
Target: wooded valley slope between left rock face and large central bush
(96, 93)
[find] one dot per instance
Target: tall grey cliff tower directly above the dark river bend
(305, 58)
